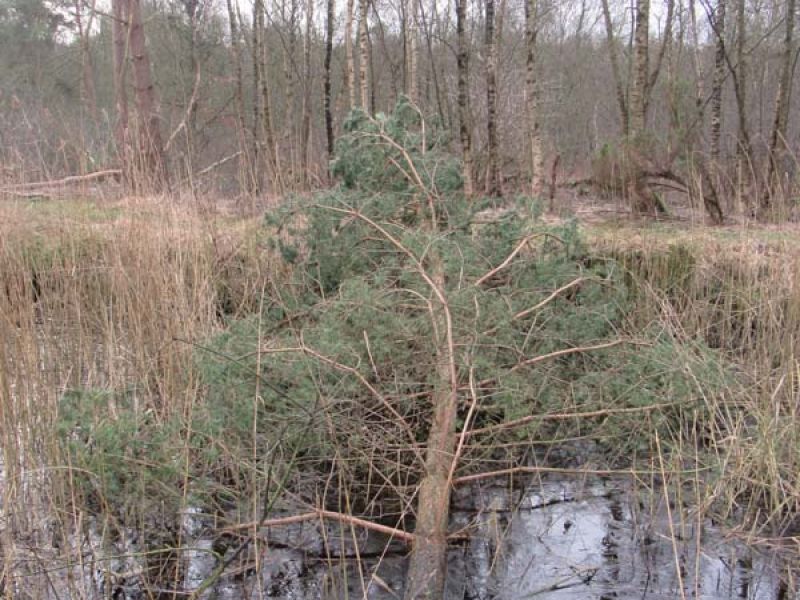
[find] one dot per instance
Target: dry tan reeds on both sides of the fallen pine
(114, 298)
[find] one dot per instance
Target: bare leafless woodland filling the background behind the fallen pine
(248, 100)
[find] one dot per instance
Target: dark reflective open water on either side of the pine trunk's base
(556, 539)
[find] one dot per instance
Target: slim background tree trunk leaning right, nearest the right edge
(778, 149)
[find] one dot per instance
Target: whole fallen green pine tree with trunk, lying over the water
(417, 319)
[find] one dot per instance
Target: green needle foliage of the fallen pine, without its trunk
(360, 328)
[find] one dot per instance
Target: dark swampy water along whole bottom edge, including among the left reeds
(555, 539)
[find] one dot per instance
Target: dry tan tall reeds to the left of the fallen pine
(107, 298)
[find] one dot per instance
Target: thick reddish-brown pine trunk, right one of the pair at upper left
(150, 144)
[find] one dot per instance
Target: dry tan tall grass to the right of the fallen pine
(737, 291)
